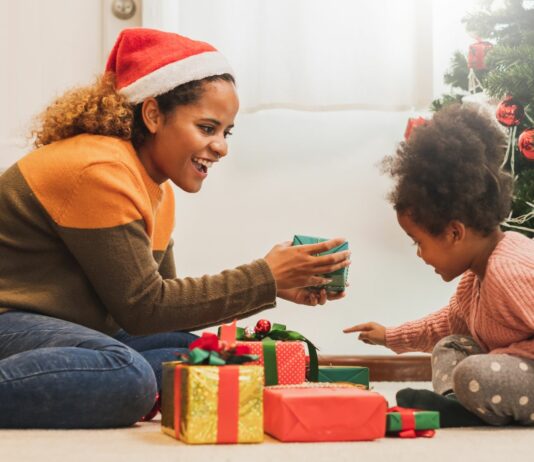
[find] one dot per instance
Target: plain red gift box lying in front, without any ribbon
(324, 413)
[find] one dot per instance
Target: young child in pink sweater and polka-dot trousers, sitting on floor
(450, 197)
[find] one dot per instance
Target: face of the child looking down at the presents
(445, 253)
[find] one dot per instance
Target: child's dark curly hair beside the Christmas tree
(449, 169)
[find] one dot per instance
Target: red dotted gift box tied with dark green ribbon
(290, 360)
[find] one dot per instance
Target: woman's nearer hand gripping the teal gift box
(299, 266)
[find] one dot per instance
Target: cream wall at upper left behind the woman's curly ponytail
(47, 47)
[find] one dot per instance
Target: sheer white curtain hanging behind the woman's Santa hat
(315, 54)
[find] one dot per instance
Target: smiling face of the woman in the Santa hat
(189, 140)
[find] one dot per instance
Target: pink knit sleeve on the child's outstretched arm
(423, 334)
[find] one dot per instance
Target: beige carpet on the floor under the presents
(146, 443)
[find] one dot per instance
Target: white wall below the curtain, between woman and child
(292, 172)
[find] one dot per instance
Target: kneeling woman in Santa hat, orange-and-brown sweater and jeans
(90, 305)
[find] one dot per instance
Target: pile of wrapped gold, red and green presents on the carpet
(243, 383)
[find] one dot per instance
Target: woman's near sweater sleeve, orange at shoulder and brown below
(118, 263)
